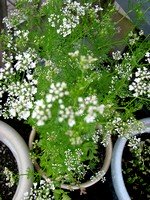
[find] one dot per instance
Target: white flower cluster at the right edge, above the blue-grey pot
(140, 86)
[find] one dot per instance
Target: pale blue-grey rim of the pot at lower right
(116, 163)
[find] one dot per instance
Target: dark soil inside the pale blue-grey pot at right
(139, 187)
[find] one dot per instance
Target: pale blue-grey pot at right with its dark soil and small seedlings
(132, 163)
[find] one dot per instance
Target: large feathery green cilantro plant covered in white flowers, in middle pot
(60, 75)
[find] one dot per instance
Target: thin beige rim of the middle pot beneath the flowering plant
(82, 186)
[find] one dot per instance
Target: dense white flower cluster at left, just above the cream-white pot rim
(20, 99)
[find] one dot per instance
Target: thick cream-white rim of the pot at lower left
(21, 153)
